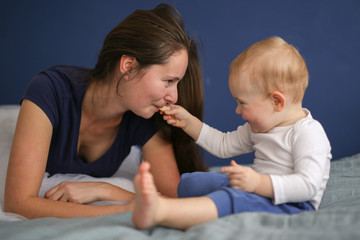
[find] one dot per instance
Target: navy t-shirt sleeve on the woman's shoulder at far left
(42, 91)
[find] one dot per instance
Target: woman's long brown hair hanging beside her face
(152, 36)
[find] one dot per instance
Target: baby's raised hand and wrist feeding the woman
(179, 117)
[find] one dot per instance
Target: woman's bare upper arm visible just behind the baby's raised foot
(160, 155)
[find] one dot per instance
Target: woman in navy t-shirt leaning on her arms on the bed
(74, 120)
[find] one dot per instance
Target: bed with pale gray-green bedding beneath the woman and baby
(337, 218)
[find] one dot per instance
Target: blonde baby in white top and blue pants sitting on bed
(292, 152)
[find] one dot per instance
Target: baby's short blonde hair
(273, 65)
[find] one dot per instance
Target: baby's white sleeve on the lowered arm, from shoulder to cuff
(311, 156)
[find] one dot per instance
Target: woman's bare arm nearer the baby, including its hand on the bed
(156, 150)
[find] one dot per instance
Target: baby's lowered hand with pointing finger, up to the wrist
(243, 178)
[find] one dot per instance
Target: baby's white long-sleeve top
(297, 158)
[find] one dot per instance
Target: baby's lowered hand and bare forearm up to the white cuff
(248, 180)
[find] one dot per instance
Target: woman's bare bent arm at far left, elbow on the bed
(26, 169)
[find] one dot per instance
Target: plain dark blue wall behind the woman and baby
(38, 34)
